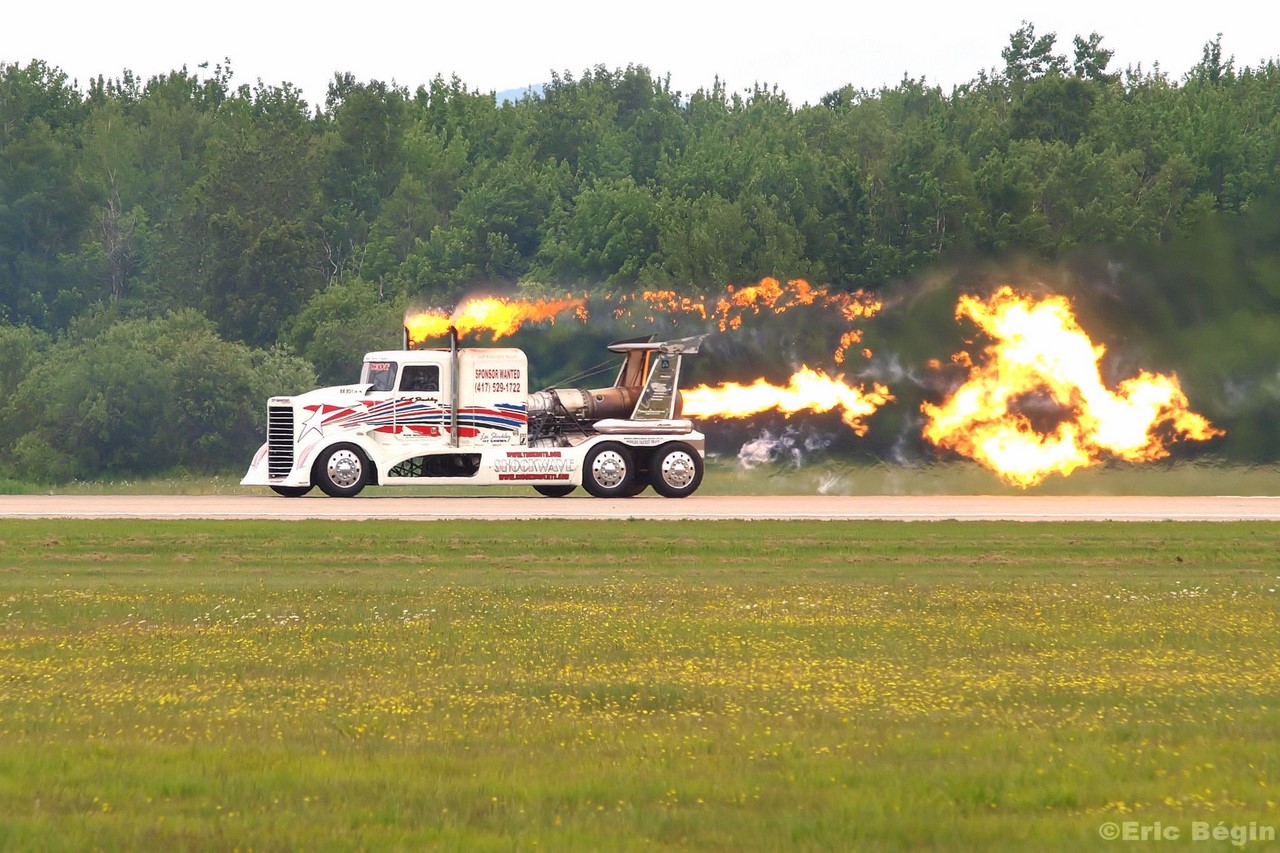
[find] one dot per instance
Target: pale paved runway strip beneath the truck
(898, 508)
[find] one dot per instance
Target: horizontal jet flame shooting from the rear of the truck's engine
(807, 390)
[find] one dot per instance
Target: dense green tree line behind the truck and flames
(176, 249)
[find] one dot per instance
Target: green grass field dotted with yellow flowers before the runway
(555, 685)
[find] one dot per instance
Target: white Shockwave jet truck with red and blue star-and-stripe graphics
(465, 417)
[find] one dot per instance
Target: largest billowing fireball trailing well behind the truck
(1041, 354)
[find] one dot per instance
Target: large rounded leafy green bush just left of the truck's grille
(143, 398)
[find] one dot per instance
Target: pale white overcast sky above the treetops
(804, 48)
